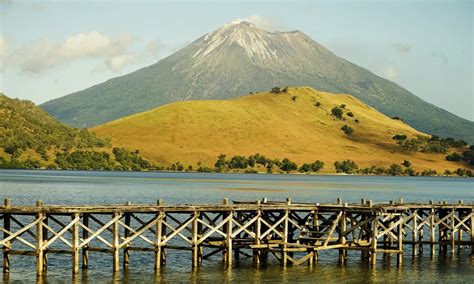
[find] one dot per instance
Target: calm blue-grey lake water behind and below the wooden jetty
(56, 187)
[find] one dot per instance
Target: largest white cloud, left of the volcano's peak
(44, 54)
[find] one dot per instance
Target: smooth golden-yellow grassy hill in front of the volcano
(296, 124)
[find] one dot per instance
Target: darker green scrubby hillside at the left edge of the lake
(31, 138)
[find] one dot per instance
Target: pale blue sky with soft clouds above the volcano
(49, 49)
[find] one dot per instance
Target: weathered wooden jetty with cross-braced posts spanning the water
(294, 233)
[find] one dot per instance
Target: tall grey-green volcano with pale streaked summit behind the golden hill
(240, 58)
